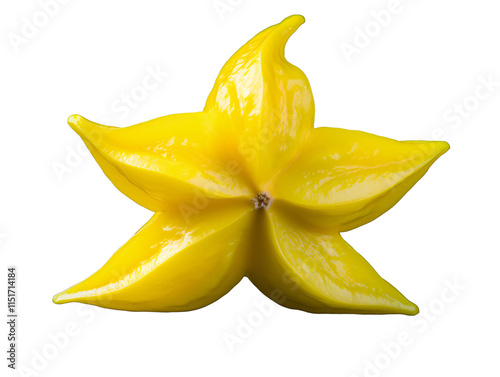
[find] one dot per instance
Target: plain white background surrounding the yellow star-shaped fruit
(58, 229)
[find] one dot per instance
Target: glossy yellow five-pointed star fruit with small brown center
(248, 187)
